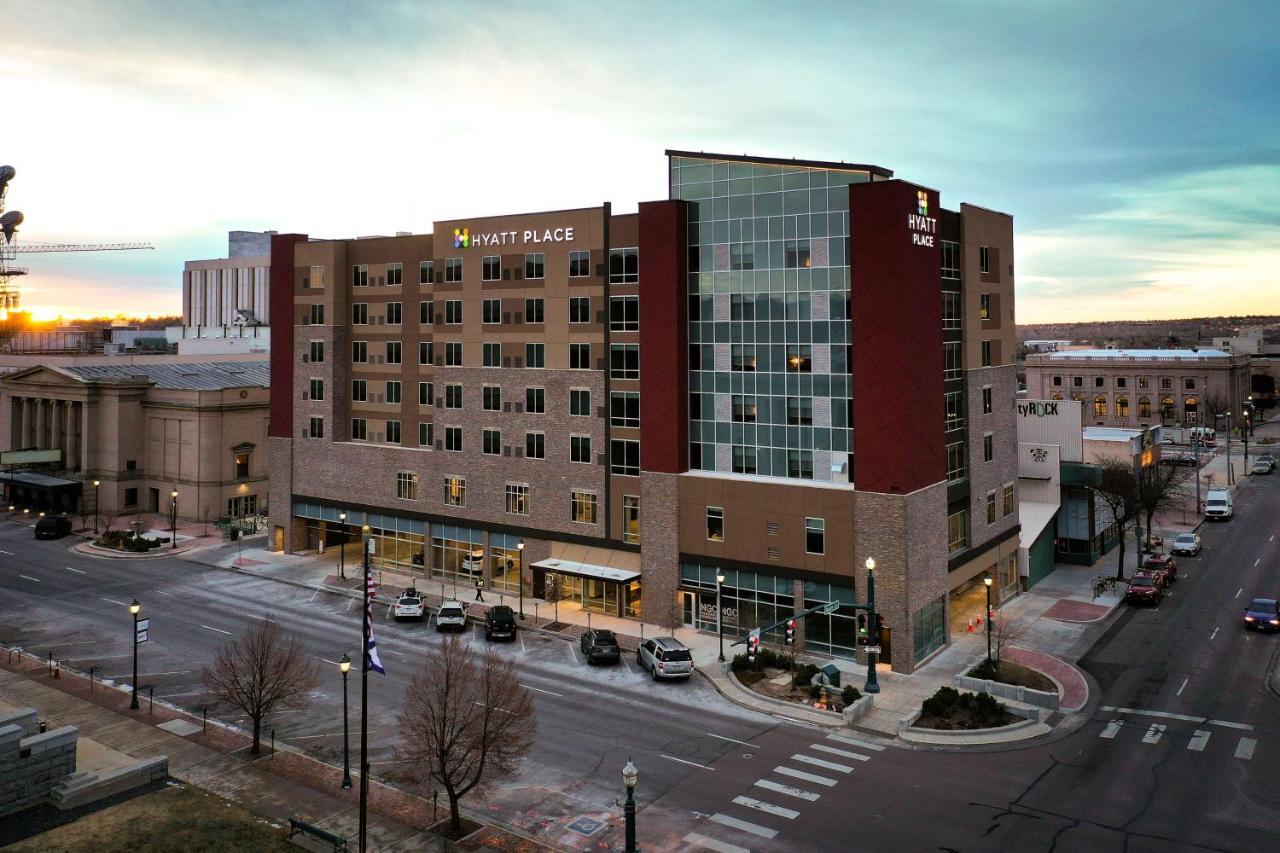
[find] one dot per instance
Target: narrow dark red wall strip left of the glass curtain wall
(664, 336)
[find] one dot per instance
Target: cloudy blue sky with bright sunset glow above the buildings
(1137, 144)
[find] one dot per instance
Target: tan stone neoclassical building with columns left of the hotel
(141, 431)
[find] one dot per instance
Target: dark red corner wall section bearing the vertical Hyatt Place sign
(897, 305)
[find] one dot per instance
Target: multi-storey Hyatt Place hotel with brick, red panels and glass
(781, 371)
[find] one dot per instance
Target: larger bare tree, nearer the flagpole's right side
(465, 723)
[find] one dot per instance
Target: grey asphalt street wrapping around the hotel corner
(1174, 754)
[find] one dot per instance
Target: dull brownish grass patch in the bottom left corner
(177, 818)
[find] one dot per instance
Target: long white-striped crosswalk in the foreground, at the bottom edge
(783, 795)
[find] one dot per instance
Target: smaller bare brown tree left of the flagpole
(262, 673)
